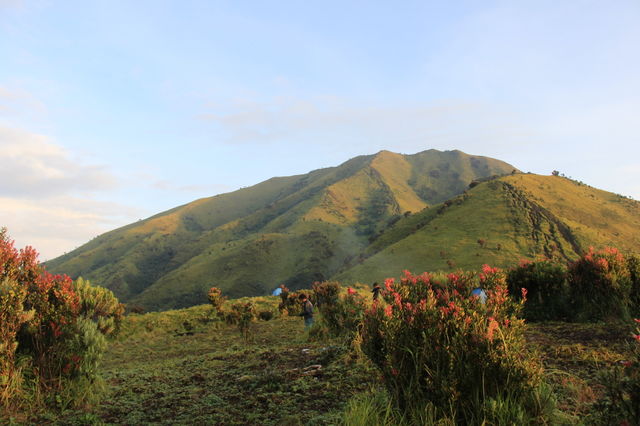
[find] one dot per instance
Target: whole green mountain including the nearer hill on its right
(364, 220)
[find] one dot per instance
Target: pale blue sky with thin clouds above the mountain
(112, 111)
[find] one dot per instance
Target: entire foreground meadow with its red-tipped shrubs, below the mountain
(432, 349)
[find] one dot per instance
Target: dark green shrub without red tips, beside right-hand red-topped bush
(547, 291)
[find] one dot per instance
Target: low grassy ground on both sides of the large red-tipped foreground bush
(179, 367)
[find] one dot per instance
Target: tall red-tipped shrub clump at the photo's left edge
(57, 327)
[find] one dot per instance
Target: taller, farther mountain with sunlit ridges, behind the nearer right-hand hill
(292, 230)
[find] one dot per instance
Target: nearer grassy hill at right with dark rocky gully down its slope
(498, 222)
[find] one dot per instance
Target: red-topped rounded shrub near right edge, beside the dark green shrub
(600, 286)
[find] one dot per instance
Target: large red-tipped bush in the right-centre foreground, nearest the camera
(437, 346)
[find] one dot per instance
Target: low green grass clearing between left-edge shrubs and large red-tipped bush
(158, 373)
